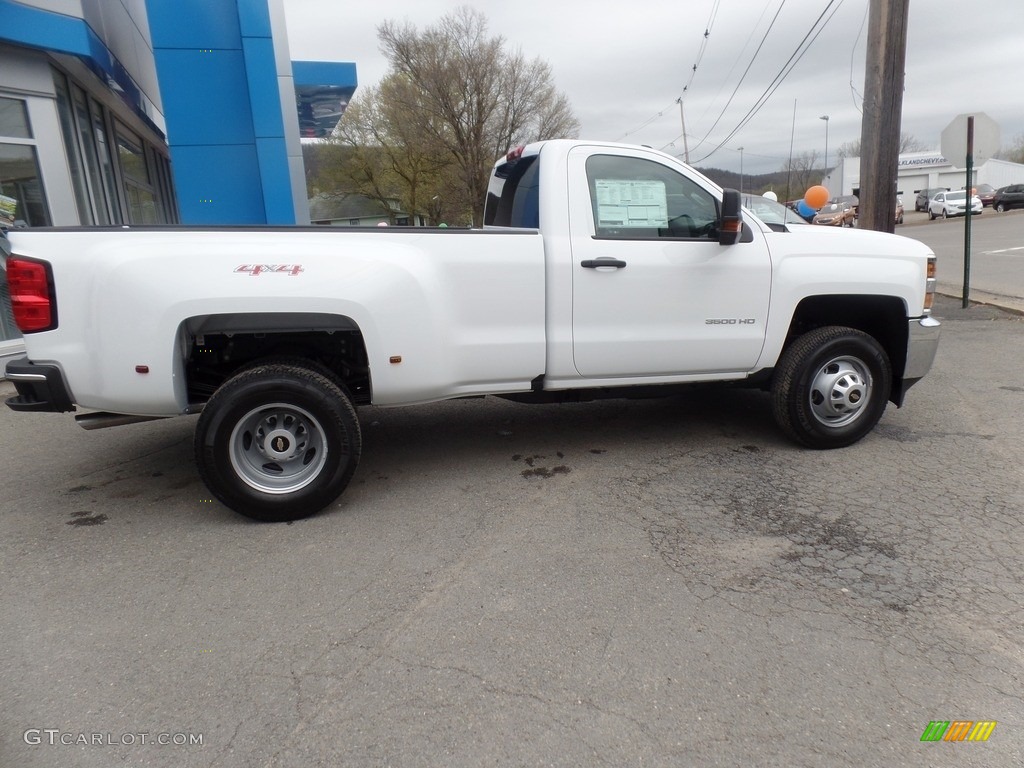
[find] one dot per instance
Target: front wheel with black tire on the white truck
(831, 388)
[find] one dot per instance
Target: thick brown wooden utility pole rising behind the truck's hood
(880, 130)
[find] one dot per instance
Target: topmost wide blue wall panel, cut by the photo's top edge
(194, 24)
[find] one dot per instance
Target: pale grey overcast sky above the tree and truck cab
(623, 66)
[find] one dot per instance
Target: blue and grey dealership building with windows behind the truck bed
(155, 112)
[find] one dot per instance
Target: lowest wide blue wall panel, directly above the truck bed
(208, 195)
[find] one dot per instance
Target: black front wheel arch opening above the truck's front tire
(884, 318)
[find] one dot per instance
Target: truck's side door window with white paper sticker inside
(637, 199)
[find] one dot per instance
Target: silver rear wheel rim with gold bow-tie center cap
(278, 449)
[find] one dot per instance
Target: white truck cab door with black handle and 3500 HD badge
(654, 293)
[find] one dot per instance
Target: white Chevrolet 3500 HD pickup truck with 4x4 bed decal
(603, 271)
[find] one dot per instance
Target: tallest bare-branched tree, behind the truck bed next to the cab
(470, 98)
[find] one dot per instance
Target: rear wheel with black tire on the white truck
(278, 443)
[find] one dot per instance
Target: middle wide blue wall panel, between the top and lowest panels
(206, 97)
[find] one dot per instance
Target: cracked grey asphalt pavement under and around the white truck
(663, 583)
